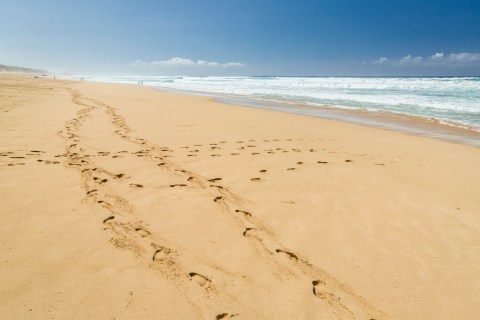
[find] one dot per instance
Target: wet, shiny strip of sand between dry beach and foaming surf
(417, 125)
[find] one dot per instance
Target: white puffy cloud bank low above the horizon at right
(437, 59)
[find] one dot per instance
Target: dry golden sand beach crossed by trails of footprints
(123, 202)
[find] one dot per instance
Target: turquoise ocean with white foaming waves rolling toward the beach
(450, 100)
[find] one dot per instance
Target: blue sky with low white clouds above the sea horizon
(243, 37)
